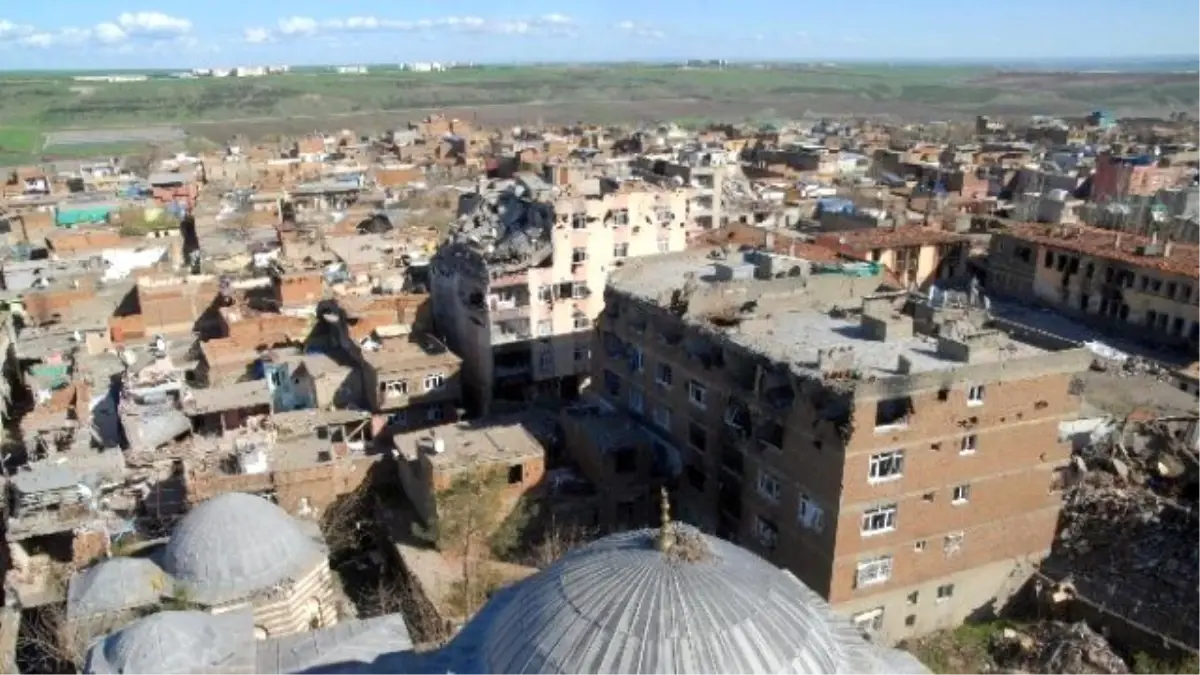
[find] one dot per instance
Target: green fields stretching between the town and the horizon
(34, 104)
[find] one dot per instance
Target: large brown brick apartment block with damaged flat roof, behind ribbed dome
(902, 459)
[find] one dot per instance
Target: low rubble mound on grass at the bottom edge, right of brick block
(1057, 649)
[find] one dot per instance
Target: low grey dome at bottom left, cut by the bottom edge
(171, 643)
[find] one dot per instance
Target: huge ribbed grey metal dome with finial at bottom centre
(621, 606)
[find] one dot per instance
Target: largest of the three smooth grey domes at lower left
(236, 545)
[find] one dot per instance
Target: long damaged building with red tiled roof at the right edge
(1133, 284)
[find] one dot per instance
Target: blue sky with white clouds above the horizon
(110, 34)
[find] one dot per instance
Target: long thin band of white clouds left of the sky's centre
(305, 27)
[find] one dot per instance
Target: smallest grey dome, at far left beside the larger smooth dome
(116, 584)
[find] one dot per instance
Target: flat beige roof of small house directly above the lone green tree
(472, 444)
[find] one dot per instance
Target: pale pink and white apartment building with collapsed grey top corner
(519, 284)
